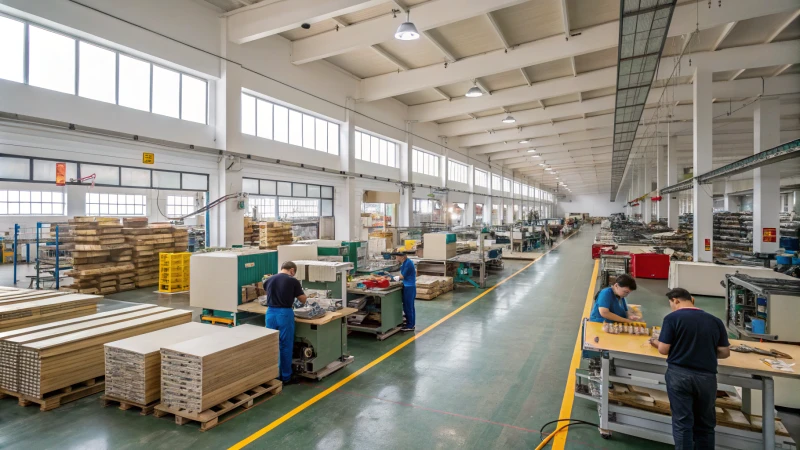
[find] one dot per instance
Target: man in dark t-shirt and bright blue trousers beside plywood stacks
(282, 289)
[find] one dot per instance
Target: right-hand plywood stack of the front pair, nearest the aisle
(207, 371)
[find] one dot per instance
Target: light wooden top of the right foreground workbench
(638, 345)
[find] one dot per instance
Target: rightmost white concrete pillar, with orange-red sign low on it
(767, 179)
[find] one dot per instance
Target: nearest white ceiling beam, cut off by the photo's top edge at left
(260, 21)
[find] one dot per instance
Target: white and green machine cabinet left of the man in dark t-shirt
(216, 280)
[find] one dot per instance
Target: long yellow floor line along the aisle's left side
(250, 439)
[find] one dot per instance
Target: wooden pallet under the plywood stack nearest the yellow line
(226, 410)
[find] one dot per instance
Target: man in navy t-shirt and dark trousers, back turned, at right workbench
(693, 340)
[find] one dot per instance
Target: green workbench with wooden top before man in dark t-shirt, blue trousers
(320, 344)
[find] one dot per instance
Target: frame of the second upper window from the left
(303, 116)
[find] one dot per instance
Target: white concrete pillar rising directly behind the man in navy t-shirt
(703, 203)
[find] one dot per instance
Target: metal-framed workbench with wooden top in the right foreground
(631, 360)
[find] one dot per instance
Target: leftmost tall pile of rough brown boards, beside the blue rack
(101, 258)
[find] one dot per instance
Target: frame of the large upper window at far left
(76, 92)
